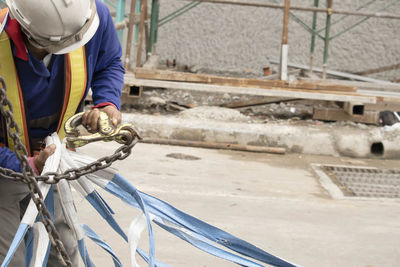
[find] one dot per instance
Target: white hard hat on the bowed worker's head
(59, 26)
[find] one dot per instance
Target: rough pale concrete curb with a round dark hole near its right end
(337, 139)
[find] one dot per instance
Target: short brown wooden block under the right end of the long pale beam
(335, 114)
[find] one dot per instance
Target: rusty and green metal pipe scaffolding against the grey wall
(141, 27)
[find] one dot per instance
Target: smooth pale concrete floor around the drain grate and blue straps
(272, 201)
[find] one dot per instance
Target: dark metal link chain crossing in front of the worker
(27, 176)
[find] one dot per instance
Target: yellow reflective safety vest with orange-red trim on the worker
(75, 86)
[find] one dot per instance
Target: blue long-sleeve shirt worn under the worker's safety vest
(43, 86)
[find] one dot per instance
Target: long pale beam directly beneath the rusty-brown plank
(281, 92)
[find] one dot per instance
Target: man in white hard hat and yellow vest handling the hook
(51, 53)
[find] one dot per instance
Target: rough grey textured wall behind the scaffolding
(226, 38)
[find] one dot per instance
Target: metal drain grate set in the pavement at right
(365, 182)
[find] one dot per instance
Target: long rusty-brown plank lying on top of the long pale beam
(153, 74)
